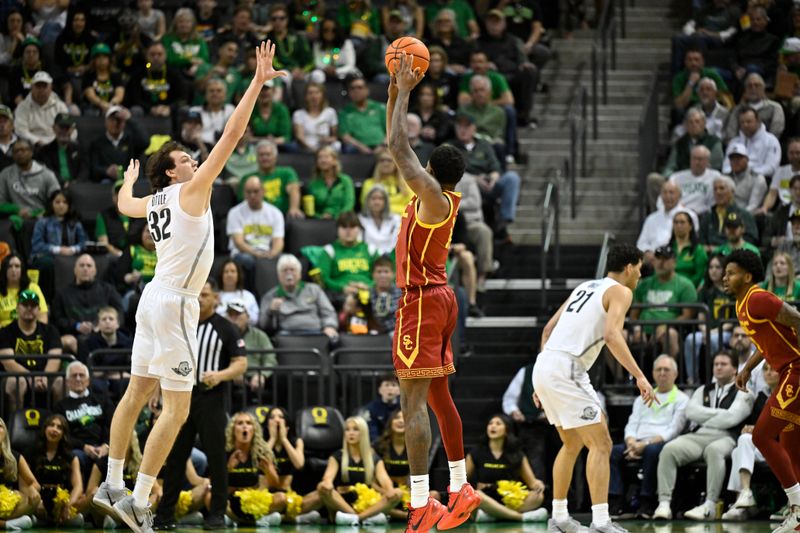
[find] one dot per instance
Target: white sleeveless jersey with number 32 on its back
(184, 243)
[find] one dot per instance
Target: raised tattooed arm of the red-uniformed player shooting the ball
(434, 206)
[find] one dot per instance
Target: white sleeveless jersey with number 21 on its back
(579, 331)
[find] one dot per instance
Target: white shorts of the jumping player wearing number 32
(165, 344)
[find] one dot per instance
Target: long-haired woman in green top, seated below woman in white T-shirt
(332, 191)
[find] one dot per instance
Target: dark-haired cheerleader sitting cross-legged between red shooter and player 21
(505, 480)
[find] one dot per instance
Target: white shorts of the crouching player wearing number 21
(564, 389)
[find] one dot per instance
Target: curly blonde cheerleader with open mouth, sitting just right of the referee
(251, 469)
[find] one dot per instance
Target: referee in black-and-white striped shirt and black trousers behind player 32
(221, 357)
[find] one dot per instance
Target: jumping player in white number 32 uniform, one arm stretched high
(179, 216)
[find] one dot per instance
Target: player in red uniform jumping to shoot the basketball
(426, 316)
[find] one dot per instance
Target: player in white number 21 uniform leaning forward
(592, 317)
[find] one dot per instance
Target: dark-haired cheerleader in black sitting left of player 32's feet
(58, 475)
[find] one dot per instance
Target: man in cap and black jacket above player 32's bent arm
(122, 141)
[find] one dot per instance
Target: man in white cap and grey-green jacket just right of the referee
(256, 342)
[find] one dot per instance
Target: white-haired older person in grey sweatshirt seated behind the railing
(295, 306)
